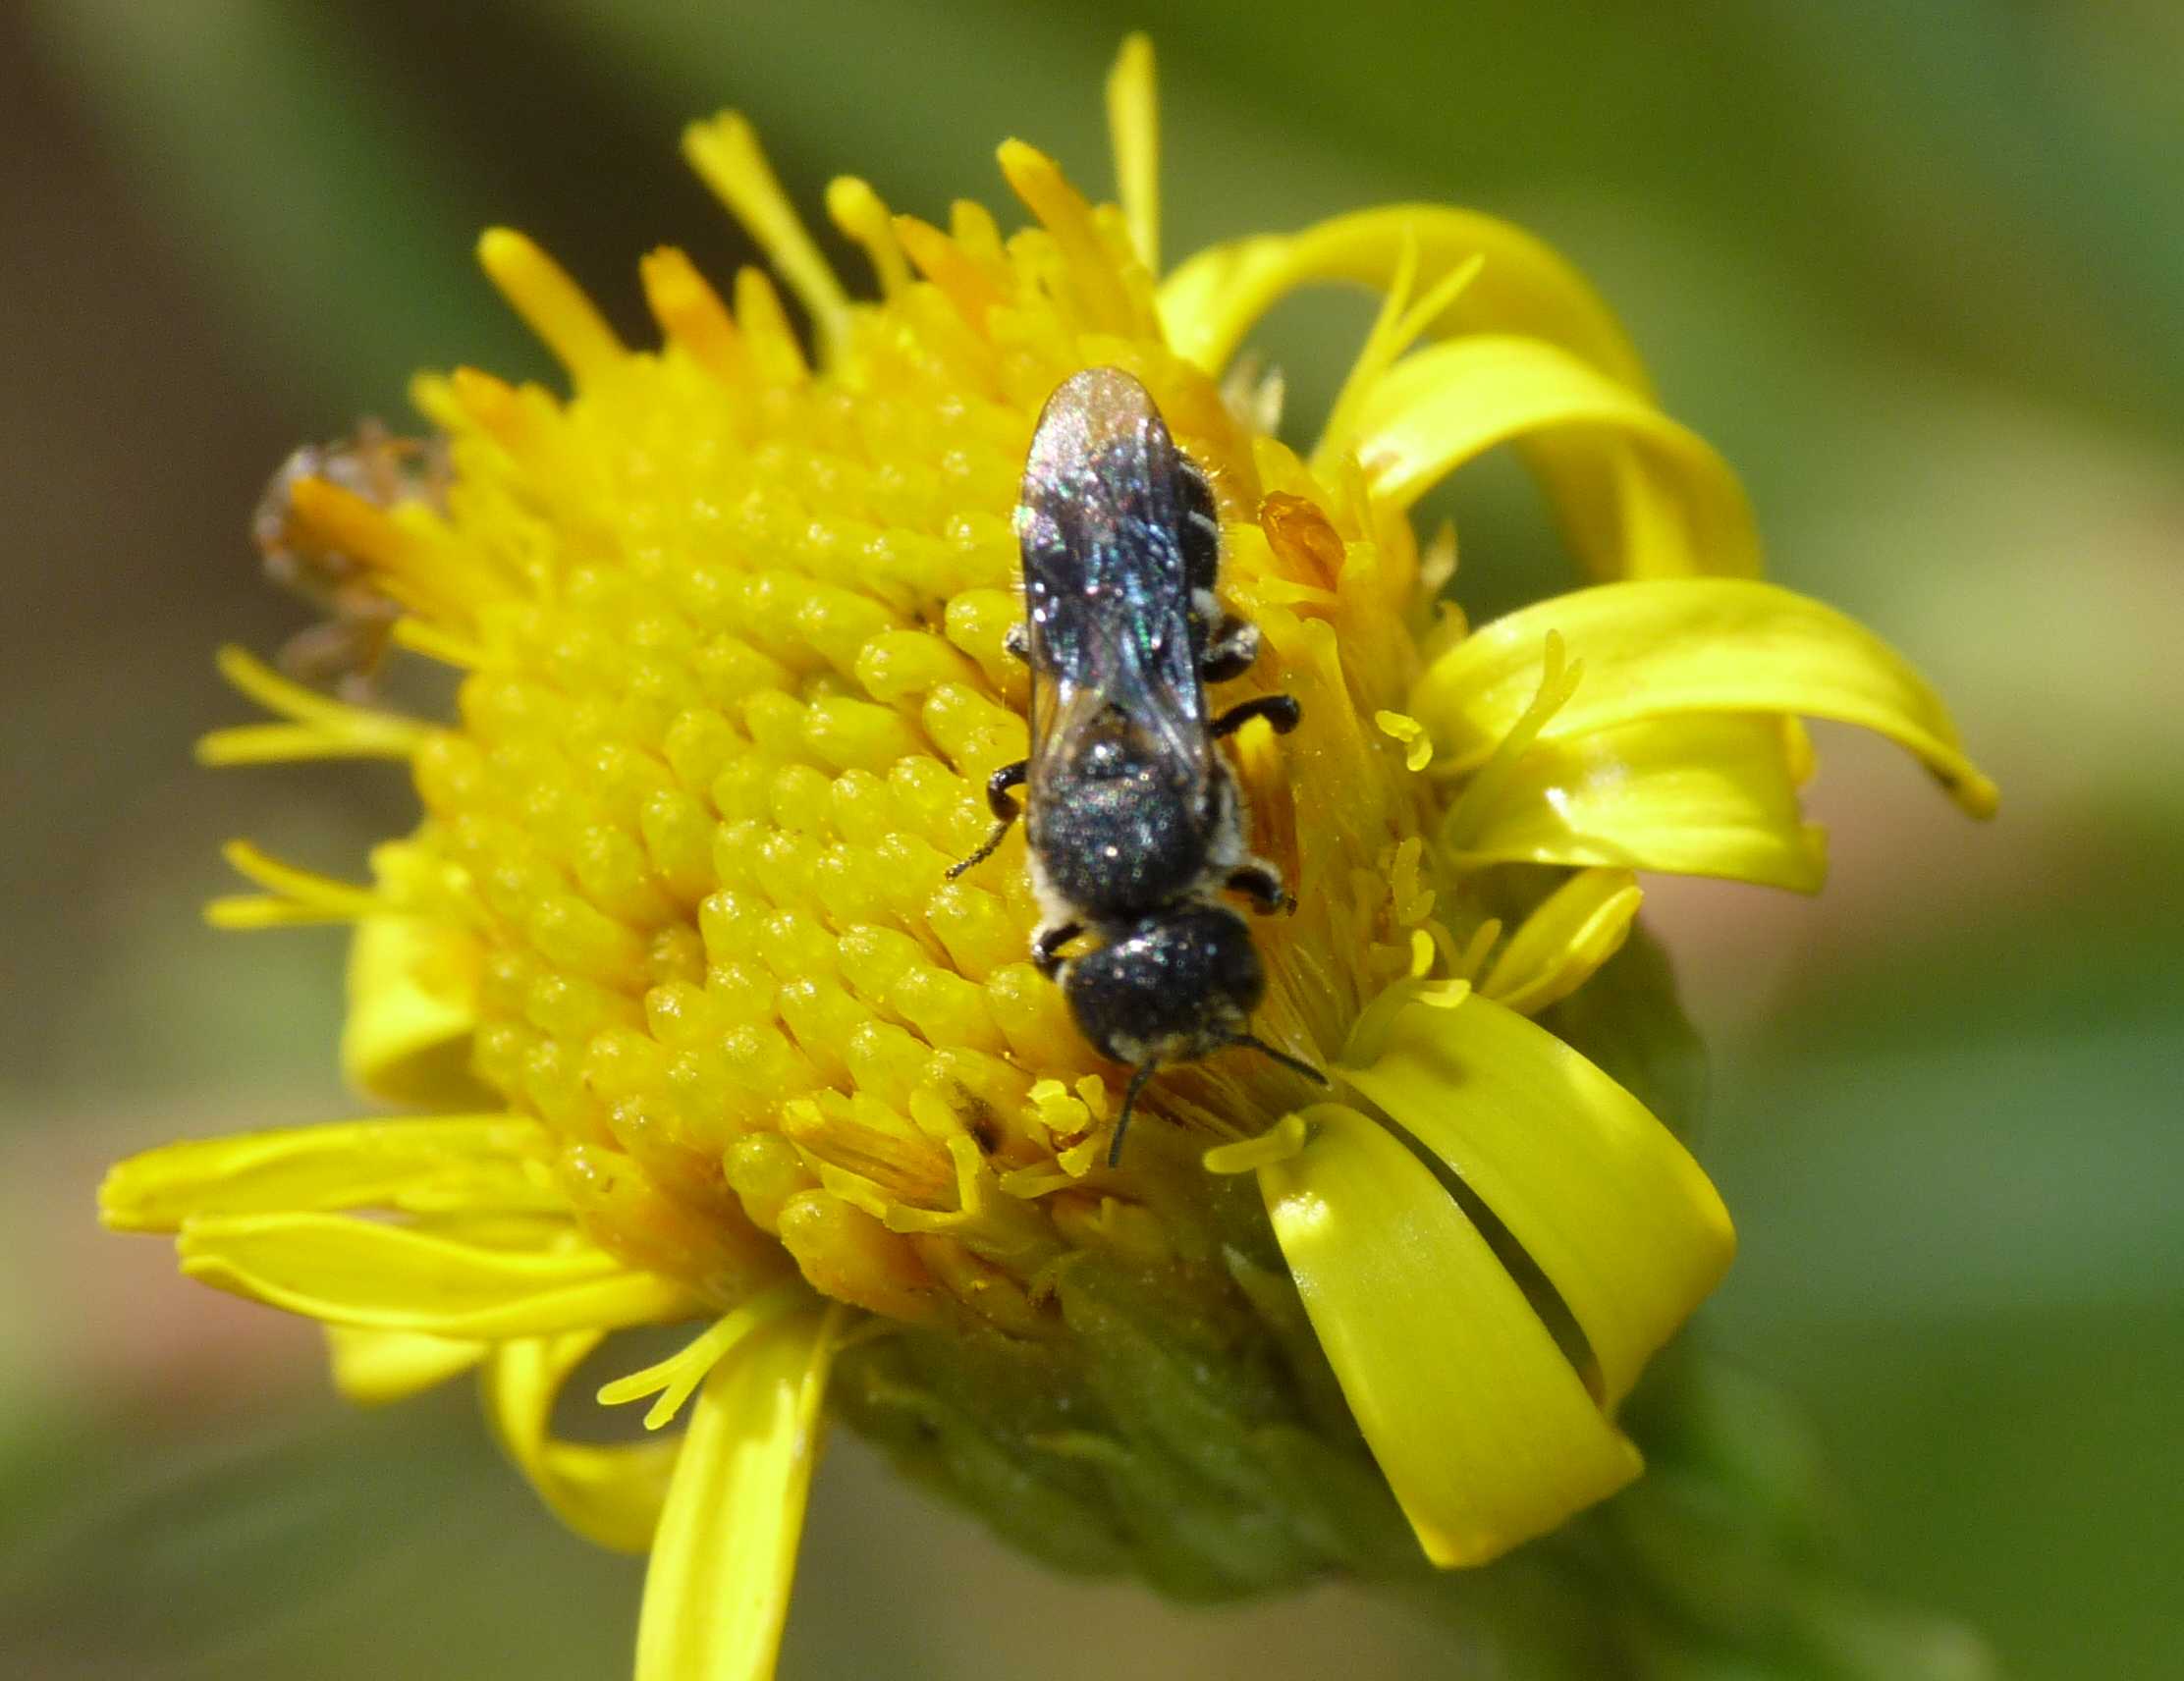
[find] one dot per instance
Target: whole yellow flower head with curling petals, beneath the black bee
(711, 1038)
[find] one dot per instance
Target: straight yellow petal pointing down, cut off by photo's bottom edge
(717, 1590)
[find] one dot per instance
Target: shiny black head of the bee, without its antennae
(1176, 988)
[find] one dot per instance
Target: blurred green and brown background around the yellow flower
(1919, 270)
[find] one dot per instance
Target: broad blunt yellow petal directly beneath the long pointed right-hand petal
(1696, 796)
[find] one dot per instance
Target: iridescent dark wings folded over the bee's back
(1106, 580)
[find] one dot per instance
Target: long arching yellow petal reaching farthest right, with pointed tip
(1663, 647)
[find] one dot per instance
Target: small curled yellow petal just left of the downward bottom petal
(606, 1494)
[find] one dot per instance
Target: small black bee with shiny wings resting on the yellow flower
(1135, 820)
